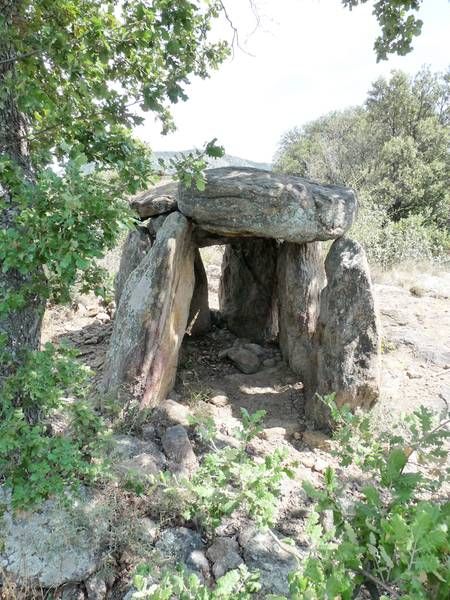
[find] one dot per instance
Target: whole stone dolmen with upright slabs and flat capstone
(276, 284)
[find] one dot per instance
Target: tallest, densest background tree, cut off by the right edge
(410, 175)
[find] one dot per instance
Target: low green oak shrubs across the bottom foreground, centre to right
(393, 541)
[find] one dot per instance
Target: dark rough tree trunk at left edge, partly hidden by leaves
(22, 327)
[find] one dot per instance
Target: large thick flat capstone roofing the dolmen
(253, 202)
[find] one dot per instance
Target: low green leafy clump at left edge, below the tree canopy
(33, 462)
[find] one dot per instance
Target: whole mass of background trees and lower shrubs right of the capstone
(394, 152)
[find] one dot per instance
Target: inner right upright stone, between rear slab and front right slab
(301, 278)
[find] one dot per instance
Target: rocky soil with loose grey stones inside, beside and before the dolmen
(219, 374)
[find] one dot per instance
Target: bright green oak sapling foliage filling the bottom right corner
(393, 539)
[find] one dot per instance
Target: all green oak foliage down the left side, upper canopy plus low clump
(75, 77)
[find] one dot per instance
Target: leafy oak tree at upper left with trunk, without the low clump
(73, 75)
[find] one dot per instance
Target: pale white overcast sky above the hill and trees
(306, 58)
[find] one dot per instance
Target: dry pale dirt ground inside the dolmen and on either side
(414, 310)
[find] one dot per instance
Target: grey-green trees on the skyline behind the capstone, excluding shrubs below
(394, 149)
